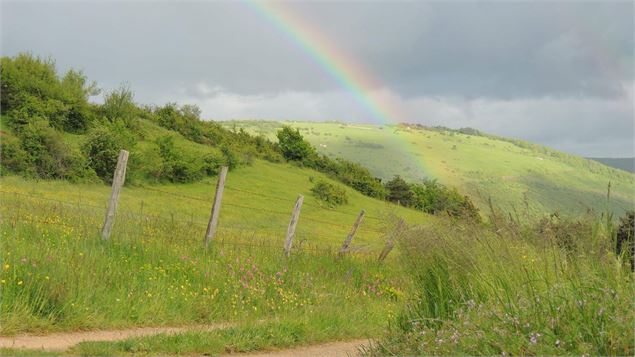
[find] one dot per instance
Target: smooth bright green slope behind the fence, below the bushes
(257, 202)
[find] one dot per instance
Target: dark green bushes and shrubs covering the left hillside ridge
(43, 112)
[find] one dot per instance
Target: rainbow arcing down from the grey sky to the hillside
(348, 73)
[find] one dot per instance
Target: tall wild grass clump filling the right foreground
(554, 288)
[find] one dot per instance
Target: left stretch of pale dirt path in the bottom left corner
(62, 341)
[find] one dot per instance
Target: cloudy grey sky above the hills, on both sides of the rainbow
(555, 73)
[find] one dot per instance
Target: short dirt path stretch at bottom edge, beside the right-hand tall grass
(331, 349)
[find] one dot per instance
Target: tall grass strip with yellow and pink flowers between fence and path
(57, 274)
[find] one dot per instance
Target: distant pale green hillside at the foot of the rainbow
(514, 174)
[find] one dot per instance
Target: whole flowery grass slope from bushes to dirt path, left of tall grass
(57, 273)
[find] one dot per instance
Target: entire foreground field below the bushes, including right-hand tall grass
(448, 287)
